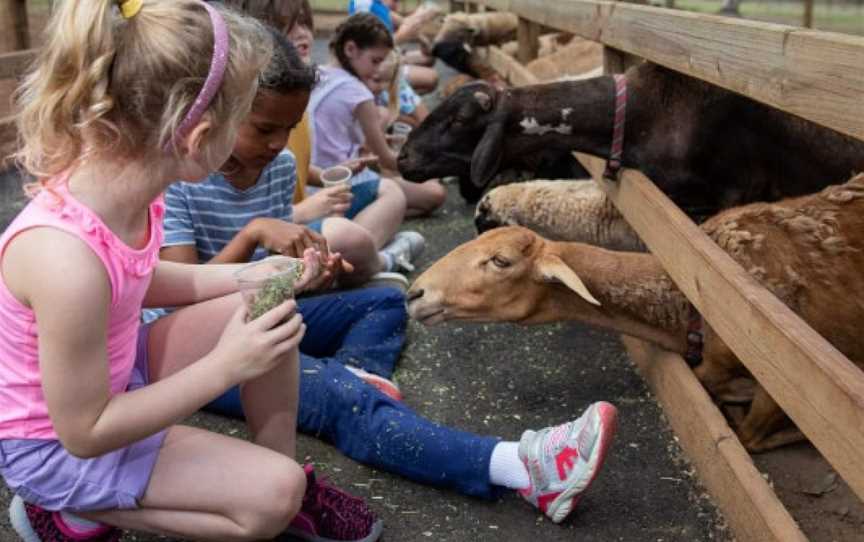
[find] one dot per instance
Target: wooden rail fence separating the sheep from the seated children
(816, 75)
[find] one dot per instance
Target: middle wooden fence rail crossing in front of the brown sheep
(820, 389)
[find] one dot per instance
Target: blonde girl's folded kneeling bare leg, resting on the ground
(207, 486)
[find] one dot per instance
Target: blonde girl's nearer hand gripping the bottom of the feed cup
(247, 350)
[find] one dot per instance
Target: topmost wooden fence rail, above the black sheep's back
(816, 75)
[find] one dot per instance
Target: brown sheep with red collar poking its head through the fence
(809, 251)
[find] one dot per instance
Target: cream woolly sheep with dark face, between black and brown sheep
(560, 211)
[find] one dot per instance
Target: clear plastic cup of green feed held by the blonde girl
(266, 284)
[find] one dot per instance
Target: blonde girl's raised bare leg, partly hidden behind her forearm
(269, 401)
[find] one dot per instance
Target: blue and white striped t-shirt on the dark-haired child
(209, 213)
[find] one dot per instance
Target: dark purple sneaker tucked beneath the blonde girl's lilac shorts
(35, 524)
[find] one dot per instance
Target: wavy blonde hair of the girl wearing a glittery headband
(102, 83)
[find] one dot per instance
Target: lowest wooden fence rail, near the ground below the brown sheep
(725, 469)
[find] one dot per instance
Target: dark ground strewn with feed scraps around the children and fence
(502, 379)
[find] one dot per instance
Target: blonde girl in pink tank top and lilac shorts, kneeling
(124, 99)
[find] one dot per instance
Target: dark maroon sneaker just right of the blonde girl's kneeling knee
(329, 514)
